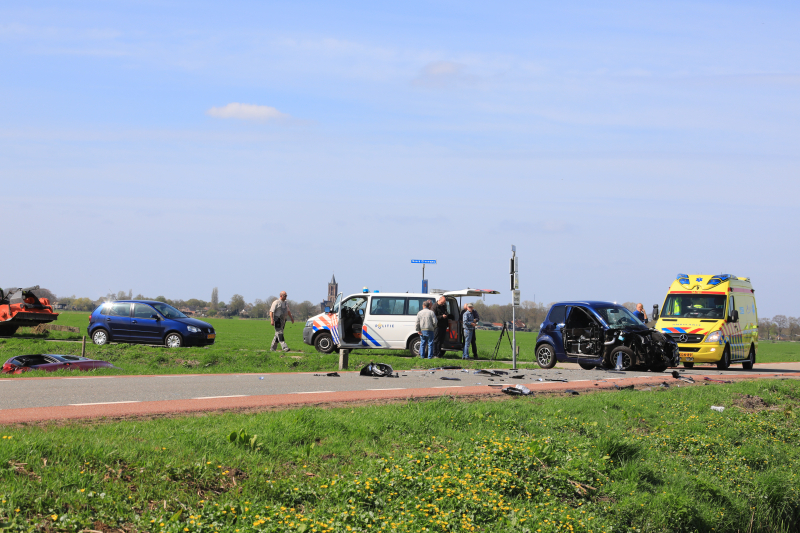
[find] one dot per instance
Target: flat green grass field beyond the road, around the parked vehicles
(243, 346)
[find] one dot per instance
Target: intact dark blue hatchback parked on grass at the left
(147, 322)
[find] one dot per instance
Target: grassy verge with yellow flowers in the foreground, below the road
(612, 461)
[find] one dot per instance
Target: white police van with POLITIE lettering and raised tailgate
(372, 320)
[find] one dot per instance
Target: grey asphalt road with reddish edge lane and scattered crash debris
(78, 396)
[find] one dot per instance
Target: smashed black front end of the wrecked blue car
(629, 347)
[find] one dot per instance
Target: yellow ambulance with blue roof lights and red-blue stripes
(712, 318)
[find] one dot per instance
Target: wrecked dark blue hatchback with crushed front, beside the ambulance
(594, 334)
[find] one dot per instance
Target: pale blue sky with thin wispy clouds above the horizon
(171, 147)
